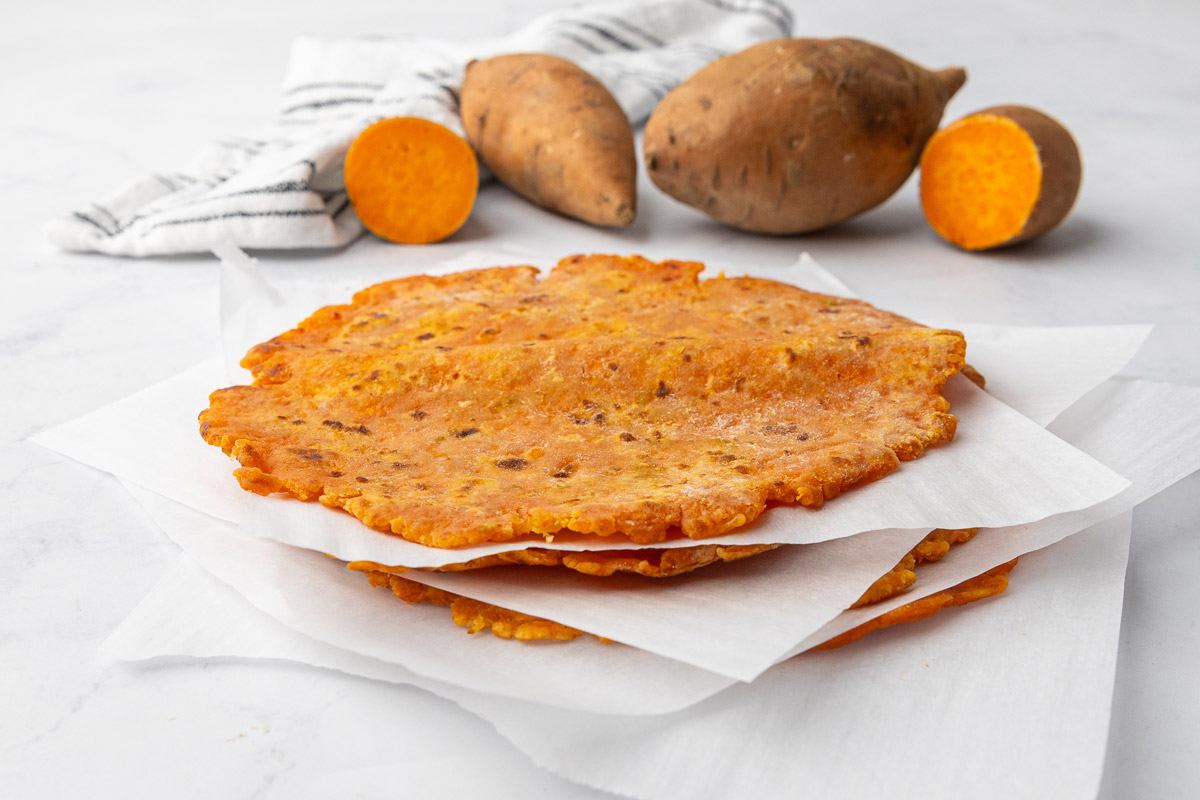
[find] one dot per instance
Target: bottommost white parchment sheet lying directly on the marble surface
(986, 703)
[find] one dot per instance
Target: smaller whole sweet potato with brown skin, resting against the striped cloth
(553, 134)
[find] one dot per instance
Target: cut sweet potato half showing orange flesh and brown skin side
(999, 177)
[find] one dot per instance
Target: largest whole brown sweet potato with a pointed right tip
(796, 135)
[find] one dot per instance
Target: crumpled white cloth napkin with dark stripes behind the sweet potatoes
(281, 188)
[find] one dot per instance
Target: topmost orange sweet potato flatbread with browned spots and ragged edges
(617, 396)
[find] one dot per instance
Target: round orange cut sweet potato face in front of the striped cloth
(411, 181)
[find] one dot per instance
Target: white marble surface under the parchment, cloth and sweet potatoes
(97, 95)
